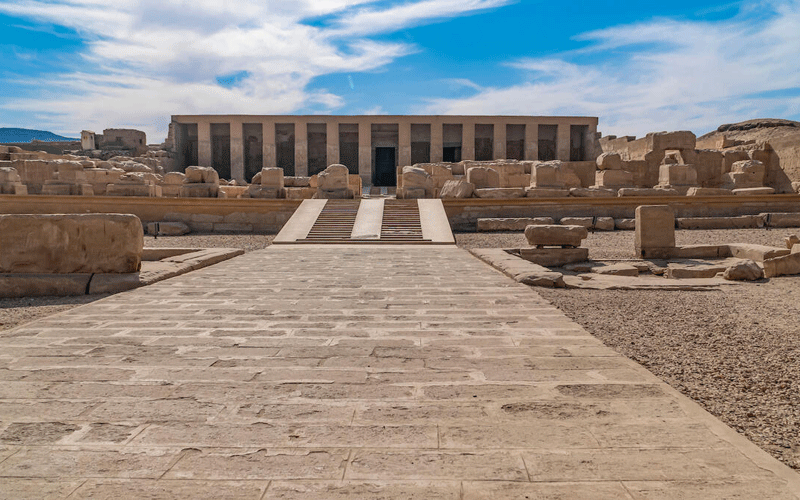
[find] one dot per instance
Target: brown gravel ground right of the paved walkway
(736, 350)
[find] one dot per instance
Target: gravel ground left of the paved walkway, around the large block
(15, 312)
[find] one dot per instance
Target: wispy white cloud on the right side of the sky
(661, 75)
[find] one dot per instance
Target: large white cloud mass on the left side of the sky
(147, 59)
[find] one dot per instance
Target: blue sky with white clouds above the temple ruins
(70, 65)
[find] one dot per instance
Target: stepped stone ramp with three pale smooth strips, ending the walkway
(374, 221)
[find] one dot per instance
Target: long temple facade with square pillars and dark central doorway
(238, 146)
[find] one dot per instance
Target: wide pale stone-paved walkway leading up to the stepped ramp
(357, 372)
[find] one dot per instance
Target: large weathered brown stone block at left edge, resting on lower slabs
(75, 243)
